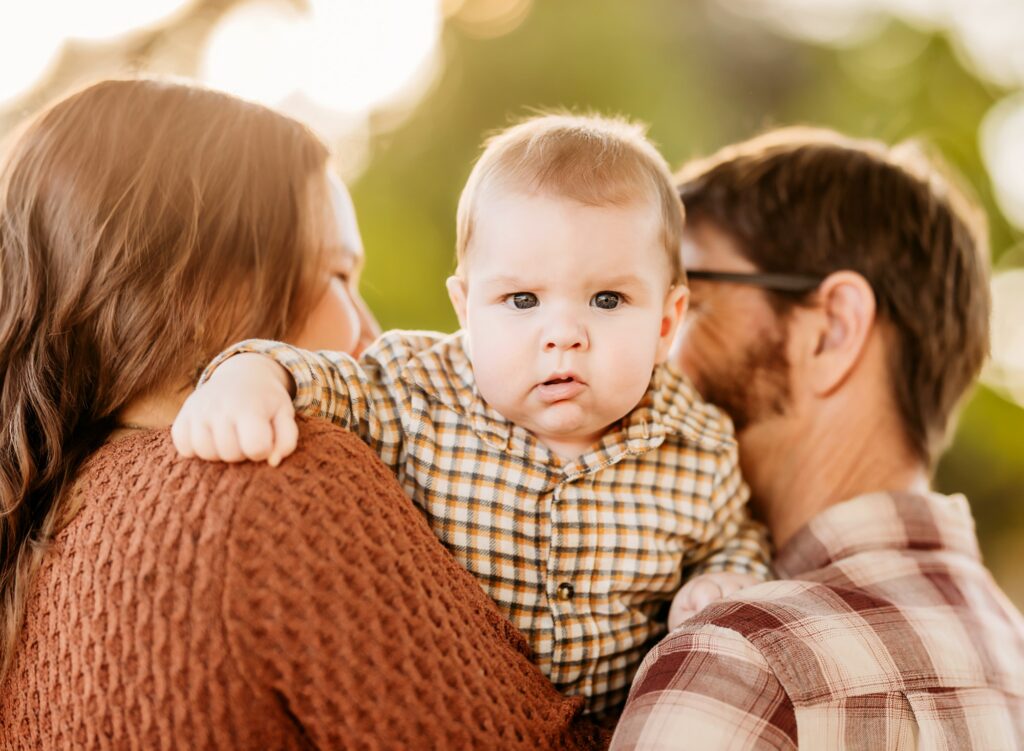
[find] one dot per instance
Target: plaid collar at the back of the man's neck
(881, 522)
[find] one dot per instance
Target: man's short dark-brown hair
(813, 202)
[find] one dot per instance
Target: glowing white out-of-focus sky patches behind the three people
(335, 63)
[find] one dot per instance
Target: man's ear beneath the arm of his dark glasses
(846, 307)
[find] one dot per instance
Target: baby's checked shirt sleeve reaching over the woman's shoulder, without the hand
(359, 396)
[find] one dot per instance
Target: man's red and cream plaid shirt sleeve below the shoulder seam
(706, 688)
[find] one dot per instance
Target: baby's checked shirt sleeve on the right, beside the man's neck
(738, 544)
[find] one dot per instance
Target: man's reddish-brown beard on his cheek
(755, 386)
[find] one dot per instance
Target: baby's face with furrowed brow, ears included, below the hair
(569, 309)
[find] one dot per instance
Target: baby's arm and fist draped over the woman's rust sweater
(247, 399)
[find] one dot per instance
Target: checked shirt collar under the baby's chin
(671, 406)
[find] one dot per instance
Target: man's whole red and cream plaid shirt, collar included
(887, 634)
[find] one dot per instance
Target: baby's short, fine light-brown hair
(596, 161)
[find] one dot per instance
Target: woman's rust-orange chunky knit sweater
(192, 605)
